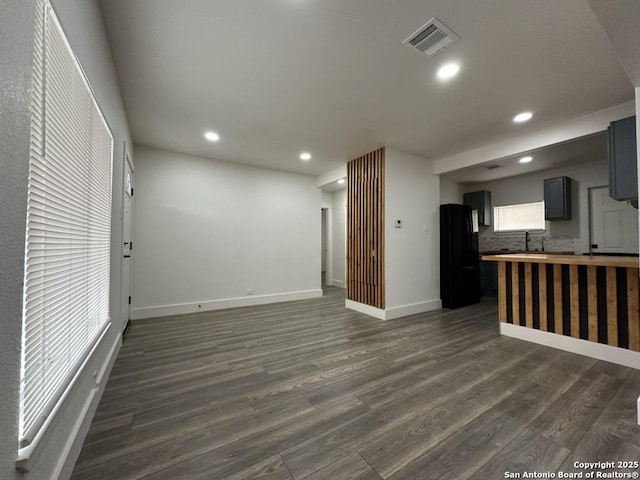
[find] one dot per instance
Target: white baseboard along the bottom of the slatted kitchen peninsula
(621, 356)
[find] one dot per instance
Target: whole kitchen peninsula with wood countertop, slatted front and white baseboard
(584, 304)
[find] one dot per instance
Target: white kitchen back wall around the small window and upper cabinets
(530, 188)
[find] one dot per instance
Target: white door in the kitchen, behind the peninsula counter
(614, 224)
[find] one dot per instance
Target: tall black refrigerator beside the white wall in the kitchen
(459, 257)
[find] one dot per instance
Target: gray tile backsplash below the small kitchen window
(489, 240)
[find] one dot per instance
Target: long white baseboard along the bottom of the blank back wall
(193, 307)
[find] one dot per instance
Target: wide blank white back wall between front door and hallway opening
(207, 231)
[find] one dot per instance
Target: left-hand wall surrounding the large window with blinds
(55, 455)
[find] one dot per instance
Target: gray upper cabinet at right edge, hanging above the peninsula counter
(623, 159)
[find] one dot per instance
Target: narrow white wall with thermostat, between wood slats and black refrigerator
(412, 194)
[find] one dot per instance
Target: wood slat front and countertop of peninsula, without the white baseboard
(598, 303)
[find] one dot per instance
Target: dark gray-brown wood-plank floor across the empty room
(312, 390)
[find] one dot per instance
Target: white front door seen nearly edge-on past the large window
(127, 239)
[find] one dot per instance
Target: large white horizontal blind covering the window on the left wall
(68, 226)
